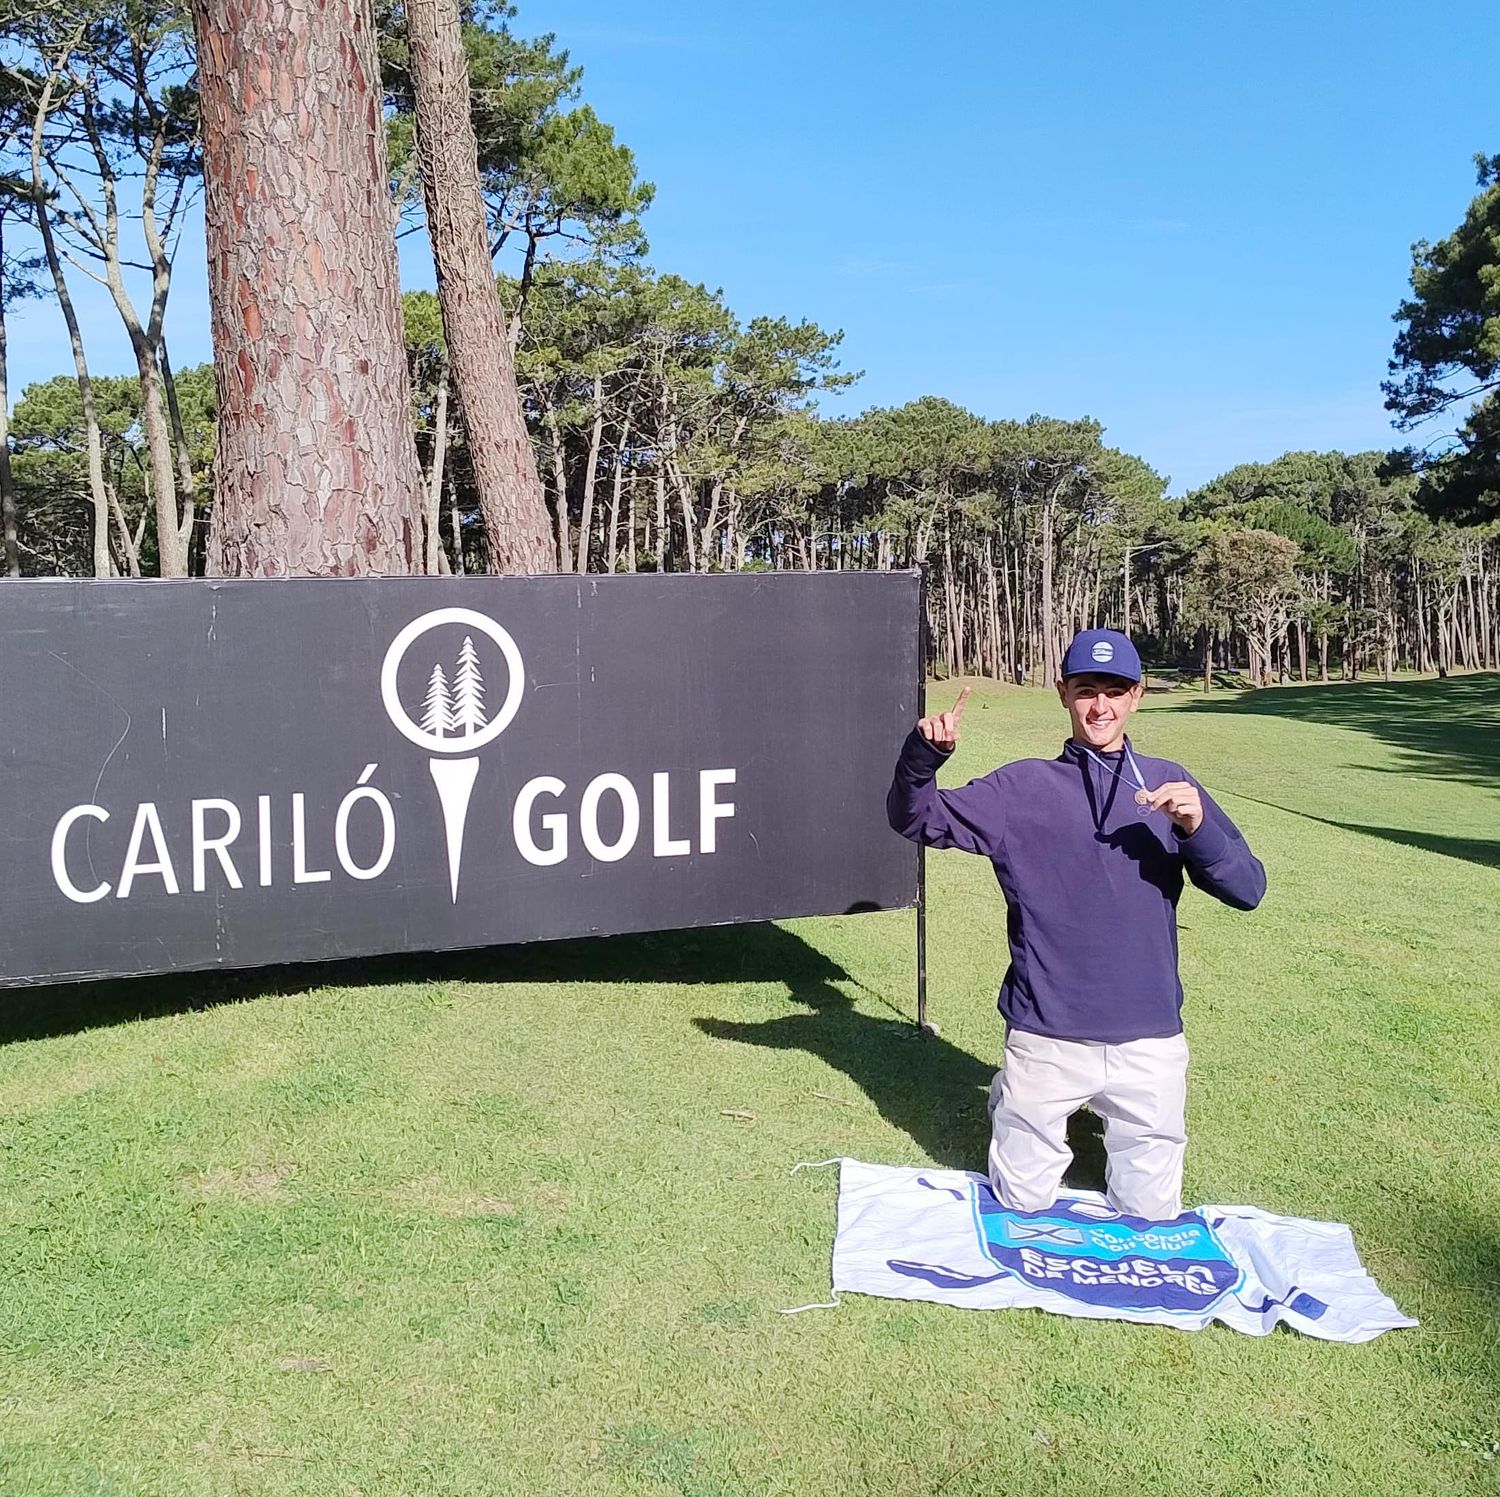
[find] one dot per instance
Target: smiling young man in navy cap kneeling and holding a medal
(1090, 851)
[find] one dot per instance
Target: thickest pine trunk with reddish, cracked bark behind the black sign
(317, 458)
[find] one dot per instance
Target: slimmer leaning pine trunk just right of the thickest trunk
(506, 479)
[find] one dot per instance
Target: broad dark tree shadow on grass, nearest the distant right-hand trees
(1448, 728)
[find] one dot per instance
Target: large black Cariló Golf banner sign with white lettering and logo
(200, 775)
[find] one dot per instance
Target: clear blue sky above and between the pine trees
(1192, 223)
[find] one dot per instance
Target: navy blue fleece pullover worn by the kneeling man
(1091, 886)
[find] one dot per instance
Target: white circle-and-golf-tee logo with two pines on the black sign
(454, 719)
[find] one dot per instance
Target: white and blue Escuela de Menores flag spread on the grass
(941, 1235)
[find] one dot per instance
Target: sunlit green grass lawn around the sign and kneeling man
(521, 1222)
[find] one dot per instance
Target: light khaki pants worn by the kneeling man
(1138, 1088)
